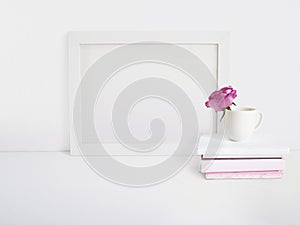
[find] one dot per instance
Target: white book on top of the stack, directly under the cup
(211, 147)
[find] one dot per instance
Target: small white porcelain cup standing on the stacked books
(241, 122)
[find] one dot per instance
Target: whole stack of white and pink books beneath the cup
(241, 160)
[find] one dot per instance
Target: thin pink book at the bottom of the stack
(276, 174)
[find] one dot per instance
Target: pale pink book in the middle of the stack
(236, 165)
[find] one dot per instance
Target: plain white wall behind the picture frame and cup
(33, 83)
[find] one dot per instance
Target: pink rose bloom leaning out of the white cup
(221, 99)
